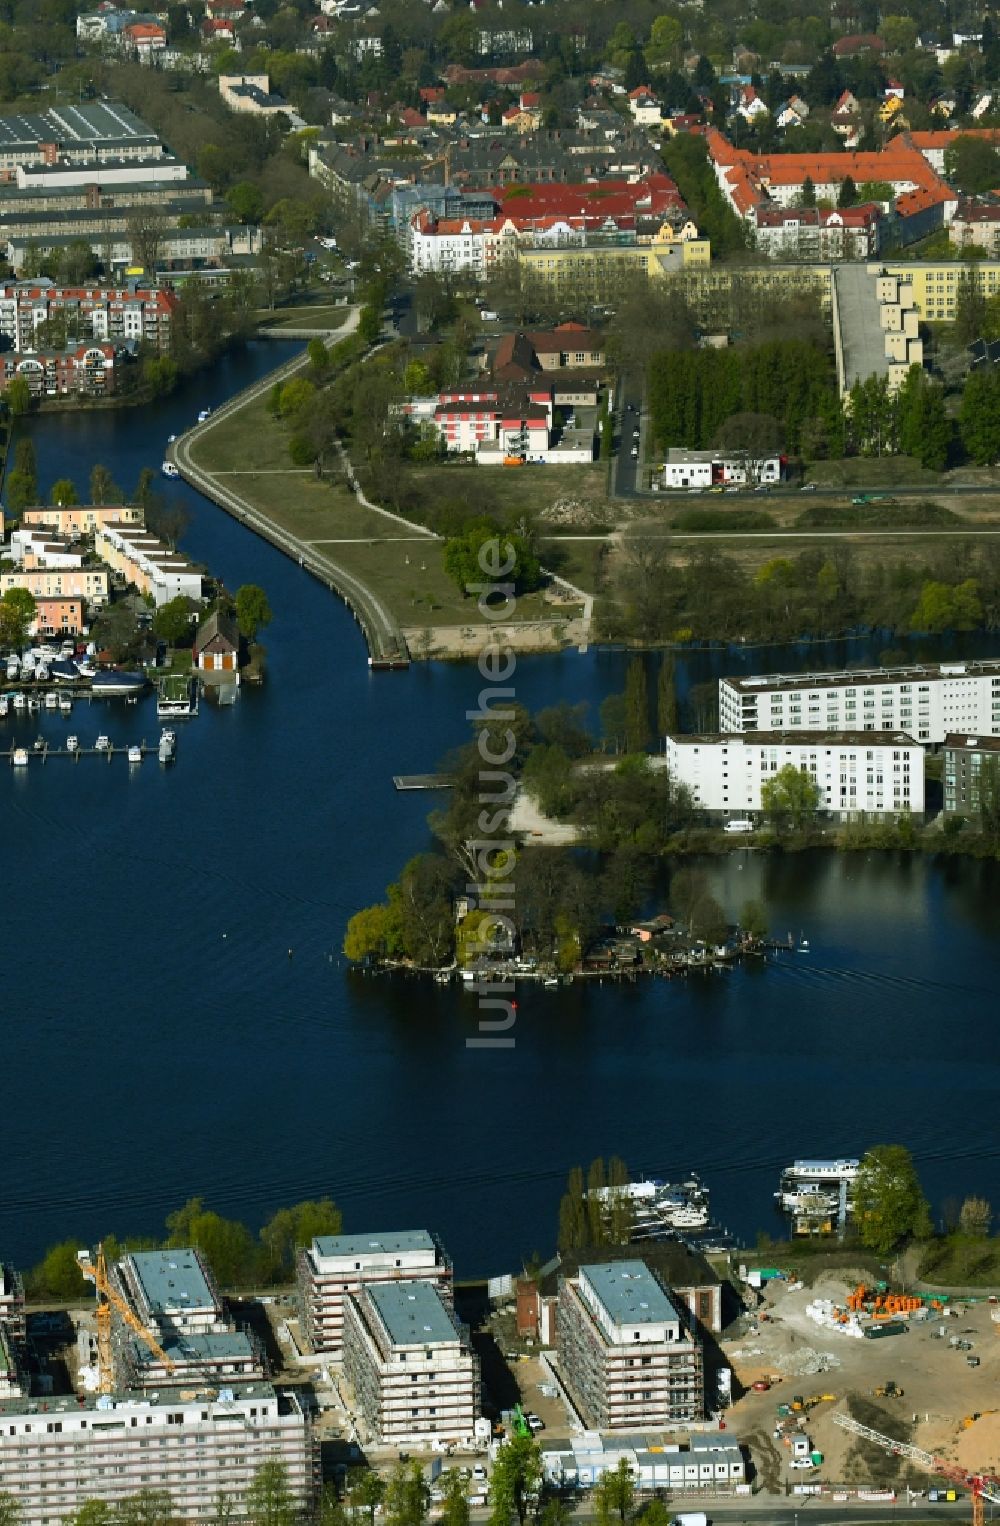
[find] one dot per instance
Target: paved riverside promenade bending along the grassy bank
(387, 645)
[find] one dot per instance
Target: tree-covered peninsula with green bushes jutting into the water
(587, 831)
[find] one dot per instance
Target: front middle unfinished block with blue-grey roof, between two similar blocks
(411, 1365)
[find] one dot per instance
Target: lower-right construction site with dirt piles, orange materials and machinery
(848, 1388)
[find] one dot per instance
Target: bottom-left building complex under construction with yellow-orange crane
(156, 1385)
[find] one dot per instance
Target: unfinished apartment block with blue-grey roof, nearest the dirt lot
(625, 1354)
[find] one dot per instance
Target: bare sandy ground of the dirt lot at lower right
(940, 1386)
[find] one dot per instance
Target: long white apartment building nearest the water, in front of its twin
(860, 774)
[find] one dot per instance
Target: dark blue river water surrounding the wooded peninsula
(161, 1043)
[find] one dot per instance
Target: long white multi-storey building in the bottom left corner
(59, 1454)
